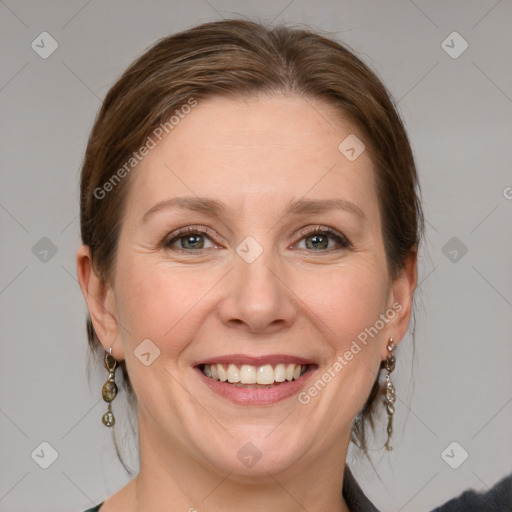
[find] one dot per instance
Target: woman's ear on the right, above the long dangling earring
(401, 298)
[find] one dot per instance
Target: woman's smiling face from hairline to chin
(250, 240)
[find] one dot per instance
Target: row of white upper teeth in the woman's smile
(248, 374)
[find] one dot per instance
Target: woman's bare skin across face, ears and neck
(256, 156)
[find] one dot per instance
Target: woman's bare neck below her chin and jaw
(171, 475)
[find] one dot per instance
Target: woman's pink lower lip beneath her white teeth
(256, 396)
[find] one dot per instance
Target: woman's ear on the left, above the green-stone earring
(99, 297)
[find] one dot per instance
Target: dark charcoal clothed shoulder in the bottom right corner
(497, 499)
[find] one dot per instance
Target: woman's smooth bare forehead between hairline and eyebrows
(262, 149)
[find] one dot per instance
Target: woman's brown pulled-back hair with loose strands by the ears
(238, 58)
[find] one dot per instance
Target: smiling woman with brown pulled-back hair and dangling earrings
(250, 225)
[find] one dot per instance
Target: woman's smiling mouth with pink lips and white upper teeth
(255, 381)
